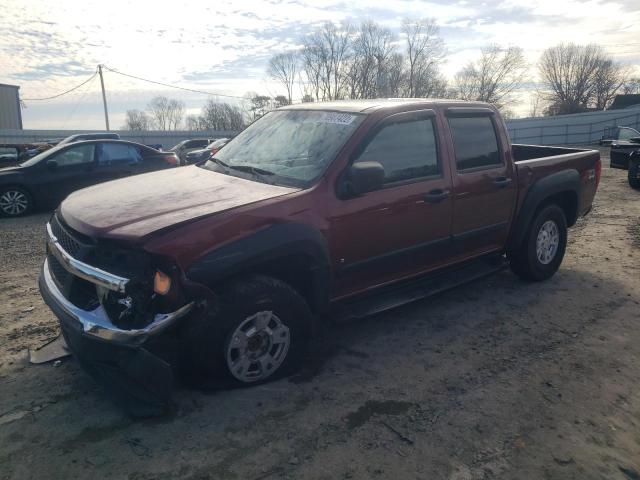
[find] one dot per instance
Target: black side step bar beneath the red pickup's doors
(416, 289)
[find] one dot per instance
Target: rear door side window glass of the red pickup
(474, 142)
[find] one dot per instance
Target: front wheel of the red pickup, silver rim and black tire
(259, 333)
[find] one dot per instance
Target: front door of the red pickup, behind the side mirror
(403, 228)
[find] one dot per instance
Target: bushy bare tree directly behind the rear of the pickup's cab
(494, 77)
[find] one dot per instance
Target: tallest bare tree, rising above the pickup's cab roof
(424, 51)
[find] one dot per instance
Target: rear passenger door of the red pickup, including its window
(483, 186)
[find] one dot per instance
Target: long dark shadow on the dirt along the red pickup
(422, 344)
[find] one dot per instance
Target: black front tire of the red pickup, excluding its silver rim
(208, 336)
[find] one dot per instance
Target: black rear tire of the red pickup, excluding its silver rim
(524, 260)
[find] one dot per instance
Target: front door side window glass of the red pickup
(406, 150)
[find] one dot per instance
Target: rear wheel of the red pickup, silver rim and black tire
(543, 247)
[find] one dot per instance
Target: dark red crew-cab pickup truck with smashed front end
(221, 271)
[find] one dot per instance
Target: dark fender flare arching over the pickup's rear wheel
(559, 182)
